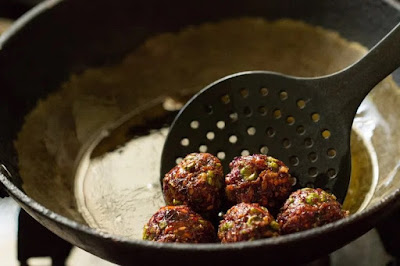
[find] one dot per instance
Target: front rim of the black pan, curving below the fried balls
(19, 195)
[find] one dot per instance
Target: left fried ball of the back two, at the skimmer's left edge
(197, 182)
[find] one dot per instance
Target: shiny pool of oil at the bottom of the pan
(117, 182)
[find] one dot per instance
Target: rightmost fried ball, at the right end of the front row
(308, 208)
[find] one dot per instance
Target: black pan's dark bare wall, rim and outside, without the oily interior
(58, 38)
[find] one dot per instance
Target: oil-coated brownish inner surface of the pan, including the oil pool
(116, 188)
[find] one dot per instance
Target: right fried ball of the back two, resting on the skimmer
(258, 178)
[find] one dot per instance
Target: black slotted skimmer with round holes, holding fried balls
(305, 122)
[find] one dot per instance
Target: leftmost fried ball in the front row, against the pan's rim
(178, 224)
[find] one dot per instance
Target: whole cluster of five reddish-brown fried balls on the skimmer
(258, 184)
